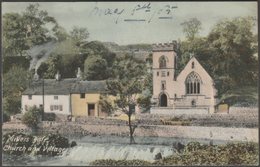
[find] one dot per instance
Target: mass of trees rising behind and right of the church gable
(227, 53)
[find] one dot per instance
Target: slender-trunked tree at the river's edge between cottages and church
(126, 86)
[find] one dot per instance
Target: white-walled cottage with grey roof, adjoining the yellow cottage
(53, 93)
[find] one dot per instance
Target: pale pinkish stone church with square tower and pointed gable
(191, 91)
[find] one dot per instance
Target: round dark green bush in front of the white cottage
(32, 117)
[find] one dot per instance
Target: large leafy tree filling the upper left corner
(22, 31)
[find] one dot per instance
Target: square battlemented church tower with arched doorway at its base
(164, 66)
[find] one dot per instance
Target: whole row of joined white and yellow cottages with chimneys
(70, 96)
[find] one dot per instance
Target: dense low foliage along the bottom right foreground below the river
(195, 153)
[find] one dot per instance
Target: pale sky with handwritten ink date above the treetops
(138, 22)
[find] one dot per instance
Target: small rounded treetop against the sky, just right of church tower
(191, 28)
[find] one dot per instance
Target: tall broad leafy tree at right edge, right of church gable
(234, 49)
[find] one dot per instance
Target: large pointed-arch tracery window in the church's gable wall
(192, 83)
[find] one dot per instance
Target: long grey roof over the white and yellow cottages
(64, 87)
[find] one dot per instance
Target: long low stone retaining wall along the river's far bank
(196, 132)
